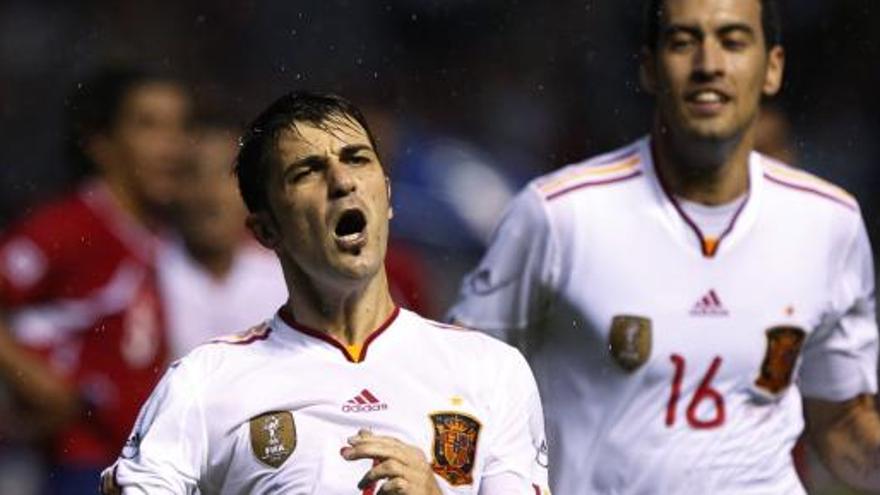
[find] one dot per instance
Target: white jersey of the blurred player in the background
(199, 307)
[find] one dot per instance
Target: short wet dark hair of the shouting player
(258, 146)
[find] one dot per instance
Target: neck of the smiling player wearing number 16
(709, 172)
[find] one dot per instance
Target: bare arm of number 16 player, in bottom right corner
(847, 437)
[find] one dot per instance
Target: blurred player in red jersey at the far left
(77, 278)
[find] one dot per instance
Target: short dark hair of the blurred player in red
(94, 105)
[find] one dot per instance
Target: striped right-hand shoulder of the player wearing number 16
(806, 188)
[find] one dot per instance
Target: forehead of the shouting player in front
(304, 139)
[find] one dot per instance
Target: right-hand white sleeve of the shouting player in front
(517, 461)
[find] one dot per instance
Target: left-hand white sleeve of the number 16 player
(509, 290)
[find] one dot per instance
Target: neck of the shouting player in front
(348, 314)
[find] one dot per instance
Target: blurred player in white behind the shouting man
(214, 277)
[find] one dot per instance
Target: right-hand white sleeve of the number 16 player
(840, 358)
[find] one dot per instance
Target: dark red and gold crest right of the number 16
(783, 348)
